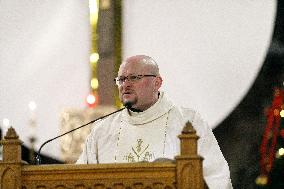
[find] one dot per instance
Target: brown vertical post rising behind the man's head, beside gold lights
(109, 49)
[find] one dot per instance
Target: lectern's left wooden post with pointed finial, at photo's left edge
(10, 166)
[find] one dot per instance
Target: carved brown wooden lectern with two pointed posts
(184, 173)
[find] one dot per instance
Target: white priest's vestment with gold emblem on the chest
(152, 134)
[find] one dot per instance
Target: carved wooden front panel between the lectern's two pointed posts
(102, 176)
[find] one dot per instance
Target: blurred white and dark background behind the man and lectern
(58, 59)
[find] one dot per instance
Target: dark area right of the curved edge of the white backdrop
(240, 134)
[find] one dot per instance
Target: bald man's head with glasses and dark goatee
(139, 82)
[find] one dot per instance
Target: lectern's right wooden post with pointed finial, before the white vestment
(188, 163)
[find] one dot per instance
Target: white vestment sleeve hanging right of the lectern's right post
(215, 168)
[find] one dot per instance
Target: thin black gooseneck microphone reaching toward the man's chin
(38, 158)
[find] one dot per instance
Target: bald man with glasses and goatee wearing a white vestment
(148, 128)
